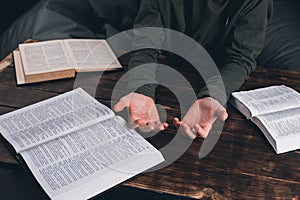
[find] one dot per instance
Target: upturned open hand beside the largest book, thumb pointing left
(142, 112)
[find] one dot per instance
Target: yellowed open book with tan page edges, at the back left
(57, 59)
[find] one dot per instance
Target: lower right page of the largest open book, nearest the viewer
(89, 161)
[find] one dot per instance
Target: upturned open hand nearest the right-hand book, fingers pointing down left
(200, 117)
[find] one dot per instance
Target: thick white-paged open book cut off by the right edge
(276, 111)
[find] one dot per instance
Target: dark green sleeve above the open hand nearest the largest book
(146, 43)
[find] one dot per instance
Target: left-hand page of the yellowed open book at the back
(45, 57)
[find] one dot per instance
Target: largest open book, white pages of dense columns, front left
(75, 146)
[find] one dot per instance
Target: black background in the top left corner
(11, 10)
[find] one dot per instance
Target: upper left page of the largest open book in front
(52, 118)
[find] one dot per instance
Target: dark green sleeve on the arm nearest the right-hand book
(244, 45)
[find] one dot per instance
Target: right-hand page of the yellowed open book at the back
(91, 55)
